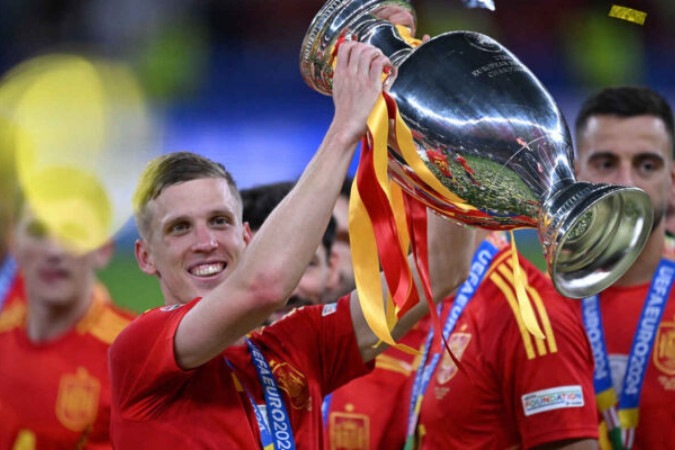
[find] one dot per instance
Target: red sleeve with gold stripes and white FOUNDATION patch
(550, 383)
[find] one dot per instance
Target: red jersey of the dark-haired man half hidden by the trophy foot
(620, 308)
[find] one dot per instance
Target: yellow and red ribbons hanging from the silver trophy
(388, 224)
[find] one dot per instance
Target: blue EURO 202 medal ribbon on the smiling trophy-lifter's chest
(274, 424)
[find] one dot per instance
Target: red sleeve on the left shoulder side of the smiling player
(142, 360)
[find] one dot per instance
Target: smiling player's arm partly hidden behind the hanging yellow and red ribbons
(451, 248)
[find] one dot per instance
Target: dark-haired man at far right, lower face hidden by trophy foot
(624, 136)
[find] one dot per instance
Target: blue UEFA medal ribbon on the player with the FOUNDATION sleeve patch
(482, 259)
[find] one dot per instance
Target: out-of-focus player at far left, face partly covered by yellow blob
(56, 330)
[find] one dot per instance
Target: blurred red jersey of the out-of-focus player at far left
(56, 394)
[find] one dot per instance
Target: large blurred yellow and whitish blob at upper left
(79, 132)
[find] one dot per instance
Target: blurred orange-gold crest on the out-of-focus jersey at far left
(77, 400)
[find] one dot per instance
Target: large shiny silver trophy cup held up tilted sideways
(491, 134)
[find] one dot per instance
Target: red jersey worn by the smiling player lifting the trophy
(311, 351)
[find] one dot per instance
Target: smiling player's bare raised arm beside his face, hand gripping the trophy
(272, 264)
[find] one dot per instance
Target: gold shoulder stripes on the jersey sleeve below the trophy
(501, 274)
